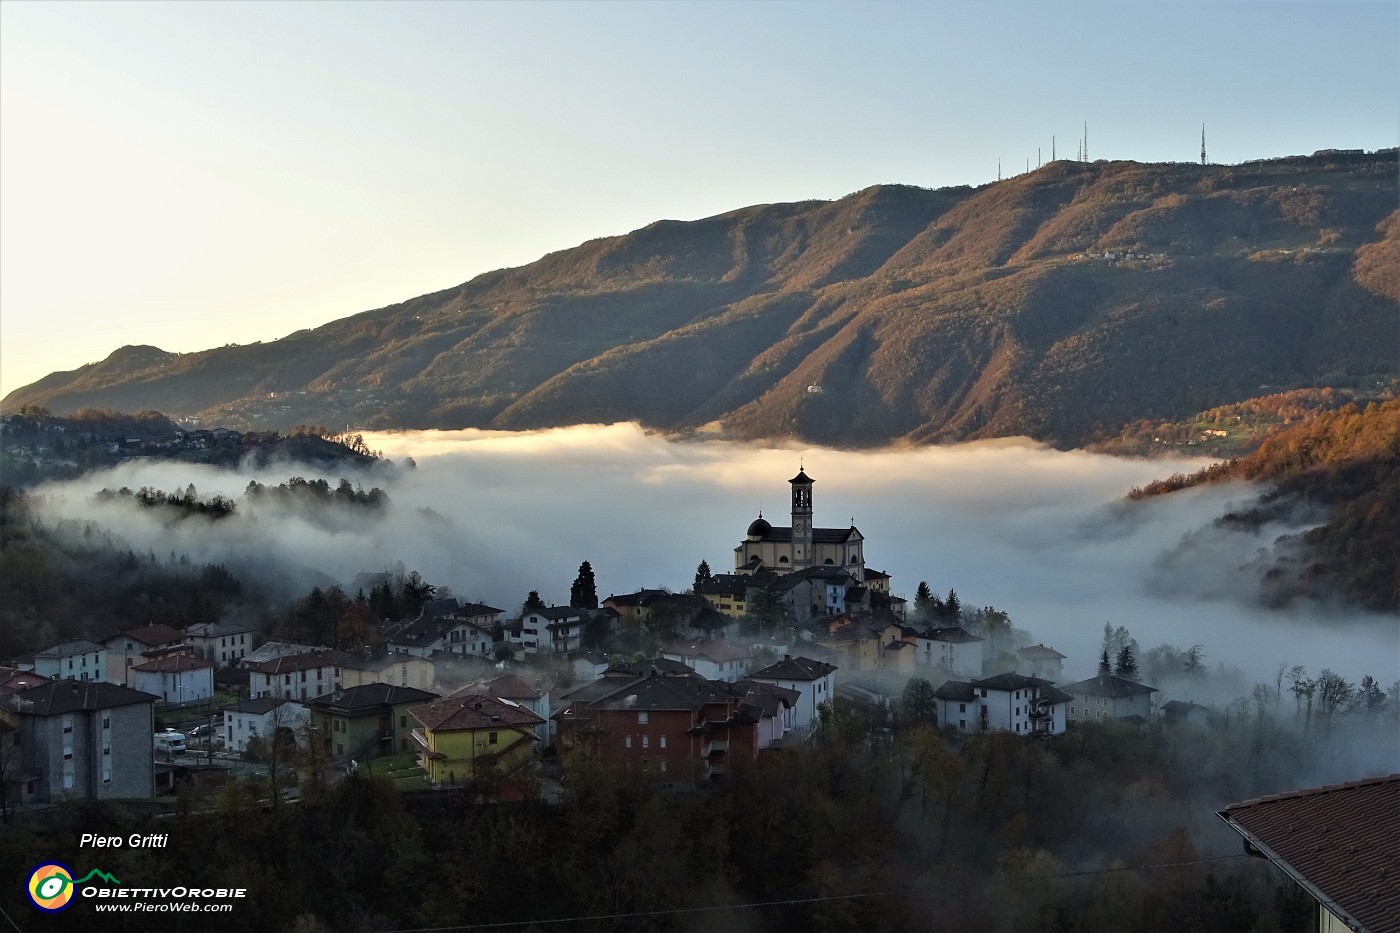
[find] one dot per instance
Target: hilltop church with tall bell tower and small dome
(800, 546)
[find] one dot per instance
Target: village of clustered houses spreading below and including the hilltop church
(464, 694)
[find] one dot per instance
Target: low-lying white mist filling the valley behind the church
(1039, 533)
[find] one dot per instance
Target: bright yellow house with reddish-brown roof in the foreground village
(471, 735)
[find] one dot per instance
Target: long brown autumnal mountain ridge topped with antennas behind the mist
(1062, 305)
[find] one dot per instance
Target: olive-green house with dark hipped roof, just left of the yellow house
(367, 722)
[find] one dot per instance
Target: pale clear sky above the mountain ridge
(190, 176)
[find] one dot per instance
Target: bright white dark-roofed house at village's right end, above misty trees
(1007, 703)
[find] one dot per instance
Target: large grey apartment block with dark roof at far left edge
(80, 740)
